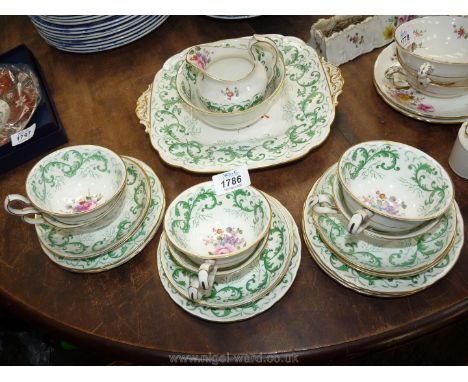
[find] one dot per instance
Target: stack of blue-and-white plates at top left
(88, 34)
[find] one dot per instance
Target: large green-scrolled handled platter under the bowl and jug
(299, 120)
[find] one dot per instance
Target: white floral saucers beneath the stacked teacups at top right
(412, 103)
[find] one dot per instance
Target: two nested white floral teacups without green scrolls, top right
(433, 54)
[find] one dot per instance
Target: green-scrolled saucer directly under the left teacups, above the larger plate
(94, 240)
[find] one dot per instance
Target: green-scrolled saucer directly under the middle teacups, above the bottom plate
(252, 284)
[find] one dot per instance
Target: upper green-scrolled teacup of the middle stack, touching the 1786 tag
(217, 231)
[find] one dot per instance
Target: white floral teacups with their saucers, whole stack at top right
(424, 73)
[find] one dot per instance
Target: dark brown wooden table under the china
(126, 311)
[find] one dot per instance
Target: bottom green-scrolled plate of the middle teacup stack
(252, 309)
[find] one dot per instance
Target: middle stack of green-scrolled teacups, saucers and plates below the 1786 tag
(227, 257)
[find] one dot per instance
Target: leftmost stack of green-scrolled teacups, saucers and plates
(93, 210)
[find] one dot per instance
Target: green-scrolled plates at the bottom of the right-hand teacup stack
(373, 285)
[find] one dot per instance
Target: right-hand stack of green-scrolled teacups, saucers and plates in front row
(383, 220)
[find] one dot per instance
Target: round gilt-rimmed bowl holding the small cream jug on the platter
(238, 117)
